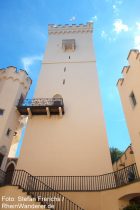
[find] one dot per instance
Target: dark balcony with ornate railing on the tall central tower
(41, 106)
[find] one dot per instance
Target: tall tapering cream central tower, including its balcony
(66, 133)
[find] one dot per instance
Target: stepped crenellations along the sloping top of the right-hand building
(133, 59)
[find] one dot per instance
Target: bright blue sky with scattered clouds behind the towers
(23, 39)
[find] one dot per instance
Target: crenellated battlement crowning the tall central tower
(58, 29)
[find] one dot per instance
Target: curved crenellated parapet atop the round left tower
(11, 73)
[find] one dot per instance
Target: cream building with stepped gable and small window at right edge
(129, 89)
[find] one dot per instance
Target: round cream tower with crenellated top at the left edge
(13, 86)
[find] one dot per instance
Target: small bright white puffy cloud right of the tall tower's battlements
(119, 26)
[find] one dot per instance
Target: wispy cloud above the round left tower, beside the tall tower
(27, 62)
